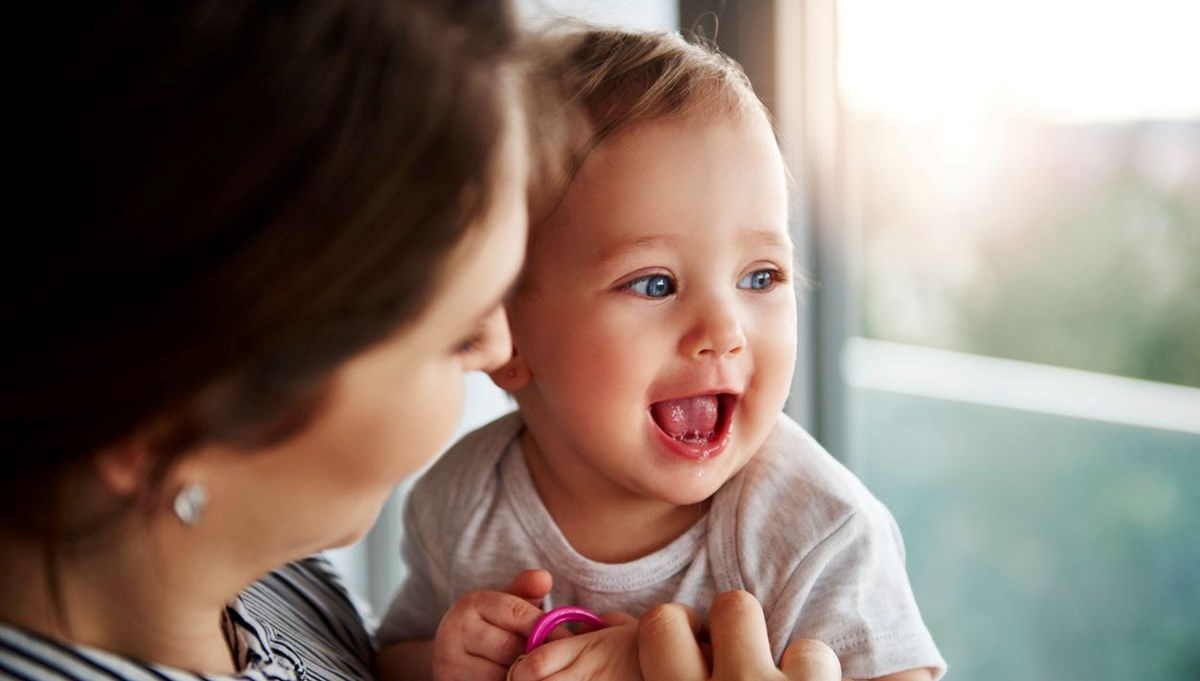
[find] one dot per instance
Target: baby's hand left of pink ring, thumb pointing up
(485, 631)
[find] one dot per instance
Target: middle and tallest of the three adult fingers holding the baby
(741, 648)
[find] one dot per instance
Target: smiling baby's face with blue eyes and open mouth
(659, 317)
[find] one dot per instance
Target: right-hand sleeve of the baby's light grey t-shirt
(853, 593)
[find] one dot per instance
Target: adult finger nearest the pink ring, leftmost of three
(667, 644)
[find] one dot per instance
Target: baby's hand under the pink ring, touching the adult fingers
(609, 654)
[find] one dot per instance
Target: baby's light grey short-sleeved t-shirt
(795, 528)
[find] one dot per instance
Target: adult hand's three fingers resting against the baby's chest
(669, 647)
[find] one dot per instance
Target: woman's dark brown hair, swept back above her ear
(230, 200)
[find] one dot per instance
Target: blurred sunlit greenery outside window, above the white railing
(1076, 246)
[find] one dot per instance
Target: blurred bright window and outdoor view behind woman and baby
(999, 208)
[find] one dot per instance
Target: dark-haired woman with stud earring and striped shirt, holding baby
(281, 236)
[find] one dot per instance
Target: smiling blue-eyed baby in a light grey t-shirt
(655, 338)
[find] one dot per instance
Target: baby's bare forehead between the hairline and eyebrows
(644, 188)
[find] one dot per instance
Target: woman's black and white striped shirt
(297, 624)
